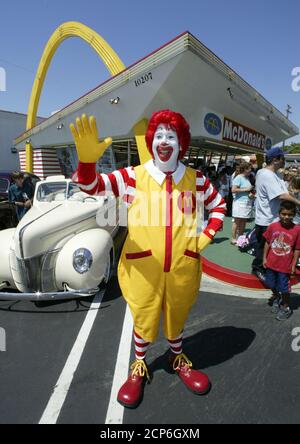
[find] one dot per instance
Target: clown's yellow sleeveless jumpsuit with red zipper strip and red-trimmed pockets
(160, 268)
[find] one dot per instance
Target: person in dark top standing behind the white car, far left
(20, 194)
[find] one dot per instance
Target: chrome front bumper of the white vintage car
(50, 296)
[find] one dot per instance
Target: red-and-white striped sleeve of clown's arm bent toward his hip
(213, 203)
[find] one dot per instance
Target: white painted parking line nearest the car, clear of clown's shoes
(62, 386)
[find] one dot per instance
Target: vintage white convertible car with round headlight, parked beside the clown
(59, 250)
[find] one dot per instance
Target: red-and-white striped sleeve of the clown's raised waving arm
(121, 183)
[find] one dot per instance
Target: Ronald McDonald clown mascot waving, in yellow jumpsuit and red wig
(160, 268)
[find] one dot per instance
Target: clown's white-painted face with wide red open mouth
(165, 147)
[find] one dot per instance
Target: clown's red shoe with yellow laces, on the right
(194, 380)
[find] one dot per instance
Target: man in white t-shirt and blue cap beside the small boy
(270, 190)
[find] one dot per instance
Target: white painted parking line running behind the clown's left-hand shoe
(115, 411)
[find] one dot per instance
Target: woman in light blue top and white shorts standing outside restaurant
(242, 204)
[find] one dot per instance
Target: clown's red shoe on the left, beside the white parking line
(131, 393)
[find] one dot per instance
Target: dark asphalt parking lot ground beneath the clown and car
(247, 354)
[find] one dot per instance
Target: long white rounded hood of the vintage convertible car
(48, 226)
